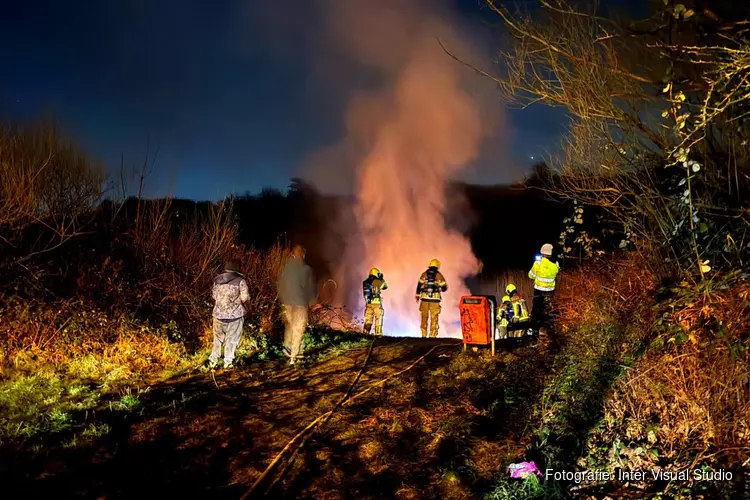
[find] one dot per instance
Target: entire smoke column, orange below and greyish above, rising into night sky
(414, 120)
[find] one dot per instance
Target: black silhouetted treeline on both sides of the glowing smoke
(505, 224)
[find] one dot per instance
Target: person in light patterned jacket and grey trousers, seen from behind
(229, 292)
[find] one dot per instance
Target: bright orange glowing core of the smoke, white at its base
(432, 129)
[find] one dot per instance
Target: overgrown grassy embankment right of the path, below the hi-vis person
(647, 378)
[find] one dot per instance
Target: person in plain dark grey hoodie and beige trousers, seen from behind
(297, 293)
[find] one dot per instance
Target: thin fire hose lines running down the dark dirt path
(322, 420)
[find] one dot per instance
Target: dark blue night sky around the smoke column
(230, 108)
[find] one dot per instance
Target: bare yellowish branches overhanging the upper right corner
(658, 135)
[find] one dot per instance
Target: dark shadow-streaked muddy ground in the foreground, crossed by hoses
(418, 436)
